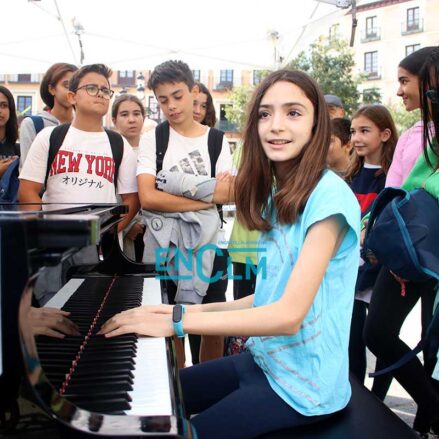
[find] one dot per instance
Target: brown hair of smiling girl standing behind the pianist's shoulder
(380, 116)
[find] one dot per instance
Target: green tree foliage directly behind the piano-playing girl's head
(331, 63)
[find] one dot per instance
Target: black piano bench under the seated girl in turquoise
(365, 417)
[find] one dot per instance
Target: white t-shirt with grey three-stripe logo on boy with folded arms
(184, 154)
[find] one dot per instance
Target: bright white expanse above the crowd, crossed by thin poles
(136, 34)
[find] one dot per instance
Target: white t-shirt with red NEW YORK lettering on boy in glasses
(82, 171)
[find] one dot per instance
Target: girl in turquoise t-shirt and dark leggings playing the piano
(299, 317)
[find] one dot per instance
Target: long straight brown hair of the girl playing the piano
(257, 187)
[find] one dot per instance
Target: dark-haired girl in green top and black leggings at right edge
(388, 308)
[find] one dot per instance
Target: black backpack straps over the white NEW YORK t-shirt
(58, 135)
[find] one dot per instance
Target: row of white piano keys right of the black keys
(152, 394)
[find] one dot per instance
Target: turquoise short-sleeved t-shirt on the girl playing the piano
(310, 370)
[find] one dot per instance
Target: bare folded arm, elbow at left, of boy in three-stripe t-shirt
(153, 199)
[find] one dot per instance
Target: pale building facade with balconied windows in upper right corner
(387, 31)
